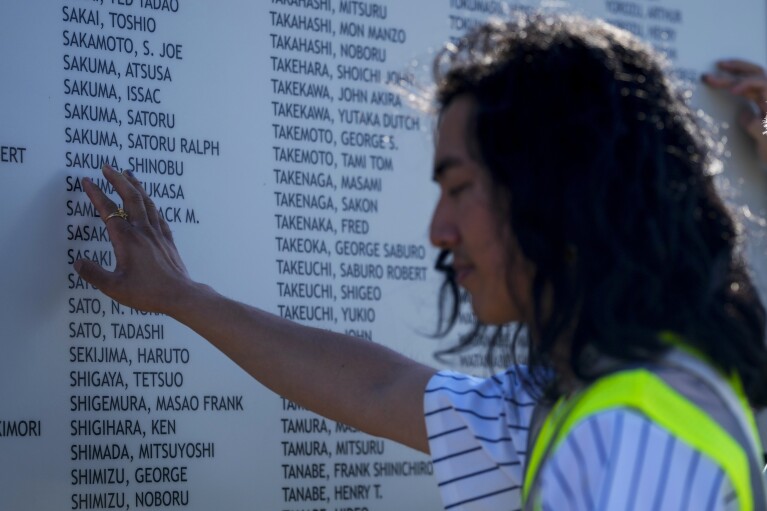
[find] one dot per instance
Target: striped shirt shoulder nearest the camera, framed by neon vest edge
(620, 460)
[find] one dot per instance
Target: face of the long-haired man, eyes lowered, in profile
(466, 221)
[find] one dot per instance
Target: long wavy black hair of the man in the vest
(607, 178)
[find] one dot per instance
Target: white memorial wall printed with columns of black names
(275, 138)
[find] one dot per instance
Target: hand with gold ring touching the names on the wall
(149, 274)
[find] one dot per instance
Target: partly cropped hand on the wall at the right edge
(748, 81)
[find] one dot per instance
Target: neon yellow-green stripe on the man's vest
(650, 395)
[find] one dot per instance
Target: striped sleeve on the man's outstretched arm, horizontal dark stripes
(477, 436)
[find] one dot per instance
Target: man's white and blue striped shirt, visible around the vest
(614, 460)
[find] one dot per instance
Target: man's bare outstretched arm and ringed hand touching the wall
(359, 383)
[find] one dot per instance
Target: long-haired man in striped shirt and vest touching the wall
(577, 199)
